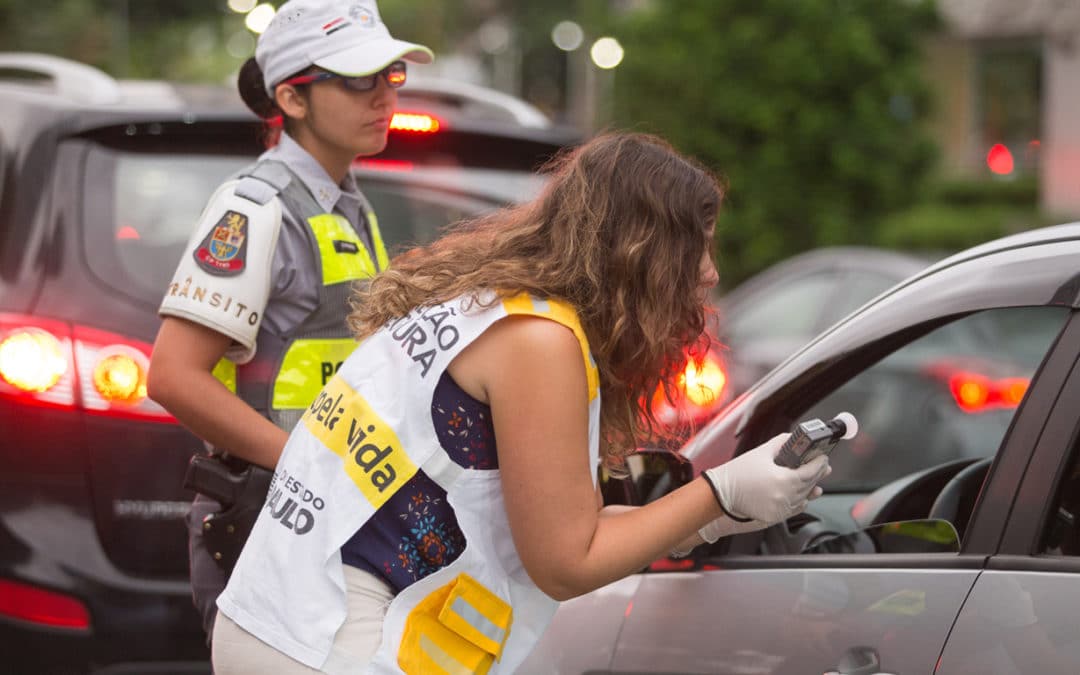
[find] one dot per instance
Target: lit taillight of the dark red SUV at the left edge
(51, 363)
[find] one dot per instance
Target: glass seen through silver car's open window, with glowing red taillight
(950, 395)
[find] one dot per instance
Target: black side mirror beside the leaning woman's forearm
(651, 475)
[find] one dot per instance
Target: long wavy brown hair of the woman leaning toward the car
(618, 234)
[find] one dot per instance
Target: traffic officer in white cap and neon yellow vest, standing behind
(254, 320)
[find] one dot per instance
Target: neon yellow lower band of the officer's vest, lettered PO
(307, 367)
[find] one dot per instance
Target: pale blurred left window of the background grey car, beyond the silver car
(791, 312)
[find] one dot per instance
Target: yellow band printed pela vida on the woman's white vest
(372, 453)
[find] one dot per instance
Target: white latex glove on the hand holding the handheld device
(752, 487)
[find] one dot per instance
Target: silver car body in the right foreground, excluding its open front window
(754, 605)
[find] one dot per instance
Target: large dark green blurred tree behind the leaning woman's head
(813, 111)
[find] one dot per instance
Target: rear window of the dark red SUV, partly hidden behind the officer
(158, 199)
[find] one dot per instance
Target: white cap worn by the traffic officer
(346, 37)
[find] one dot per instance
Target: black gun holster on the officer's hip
(241, 489)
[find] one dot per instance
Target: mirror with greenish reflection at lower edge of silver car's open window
(926, 536)
